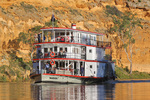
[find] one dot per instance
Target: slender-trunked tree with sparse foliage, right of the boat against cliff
(124, 26)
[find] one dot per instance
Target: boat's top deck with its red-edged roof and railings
(71, 36)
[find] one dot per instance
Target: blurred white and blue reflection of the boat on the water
(72, 92)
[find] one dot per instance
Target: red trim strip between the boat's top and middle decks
(71, 43)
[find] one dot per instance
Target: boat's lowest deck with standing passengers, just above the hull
(74, 67)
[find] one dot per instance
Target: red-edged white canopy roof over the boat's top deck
(70, 29)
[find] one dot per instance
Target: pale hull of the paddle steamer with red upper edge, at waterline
(57, 78)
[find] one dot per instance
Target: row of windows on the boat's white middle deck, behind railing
(62, 52)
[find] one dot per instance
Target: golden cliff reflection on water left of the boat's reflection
(15, 91)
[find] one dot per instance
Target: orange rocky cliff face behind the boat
(20, 15)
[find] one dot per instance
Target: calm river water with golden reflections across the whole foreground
(116, 90)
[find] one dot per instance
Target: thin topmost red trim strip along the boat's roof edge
(71, 29)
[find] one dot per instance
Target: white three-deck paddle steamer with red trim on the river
(73, 56)
